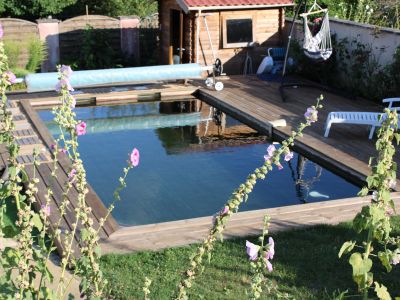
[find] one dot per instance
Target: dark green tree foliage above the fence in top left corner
(33, 9)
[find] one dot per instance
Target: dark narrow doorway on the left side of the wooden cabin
(176, 49)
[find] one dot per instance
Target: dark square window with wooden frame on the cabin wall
(238, 31)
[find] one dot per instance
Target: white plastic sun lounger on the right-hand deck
(361, 118)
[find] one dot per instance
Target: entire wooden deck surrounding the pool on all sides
(255, 103)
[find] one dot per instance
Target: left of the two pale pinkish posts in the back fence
(49, 33)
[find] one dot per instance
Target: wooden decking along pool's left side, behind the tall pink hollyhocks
(31, 133)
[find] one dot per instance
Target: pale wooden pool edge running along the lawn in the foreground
(184, 232)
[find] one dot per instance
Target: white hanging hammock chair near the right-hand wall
(319, 46)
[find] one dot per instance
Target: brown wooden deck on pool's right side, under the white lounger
(258, 104)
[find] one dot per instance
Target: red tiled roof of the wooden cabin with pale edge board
(188, 5)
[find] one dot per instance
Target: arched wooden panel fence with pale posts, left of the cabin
(133, 41)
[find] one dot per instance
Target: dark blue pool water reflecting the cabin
(192, 157)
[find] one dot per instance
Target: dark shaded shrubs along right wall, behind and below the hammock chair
(352, 69)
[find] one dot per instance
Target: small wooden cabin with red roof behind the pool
(202, 30)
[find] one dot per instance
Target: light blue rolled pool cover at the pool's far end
(42, 82)
